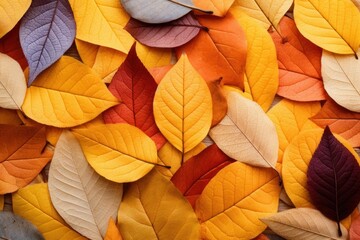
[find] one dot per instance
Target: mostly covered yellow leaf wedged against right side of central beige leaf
(289, 117)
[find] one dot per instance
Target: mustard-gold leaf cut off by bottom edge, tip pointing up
(153, 208)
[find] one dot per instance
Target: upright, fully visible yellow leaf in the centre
(182, 106)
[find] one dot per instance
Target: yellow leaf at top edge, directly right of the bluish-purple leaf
(101, 22)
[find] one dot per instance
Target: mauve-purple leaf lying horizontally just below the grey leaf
(169, 35)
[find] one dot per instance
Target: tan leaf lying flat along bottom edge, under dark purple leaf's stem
(303, 224)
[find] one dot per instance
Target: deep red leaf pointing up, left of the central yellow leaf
(135, 87)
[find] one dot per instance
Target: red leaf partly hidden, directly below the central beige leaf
(194, 174)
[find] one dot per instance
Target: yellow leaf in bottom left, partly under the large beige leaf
(33, 203)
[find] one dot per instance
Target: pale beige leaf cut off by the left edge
(12, 83)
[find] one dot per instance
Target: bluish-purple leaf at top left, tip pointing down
(47, 30)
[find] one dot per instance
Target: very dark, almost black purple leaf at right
(334, 178)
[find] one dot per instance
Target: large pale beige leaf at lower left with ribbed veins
(73, 184)
